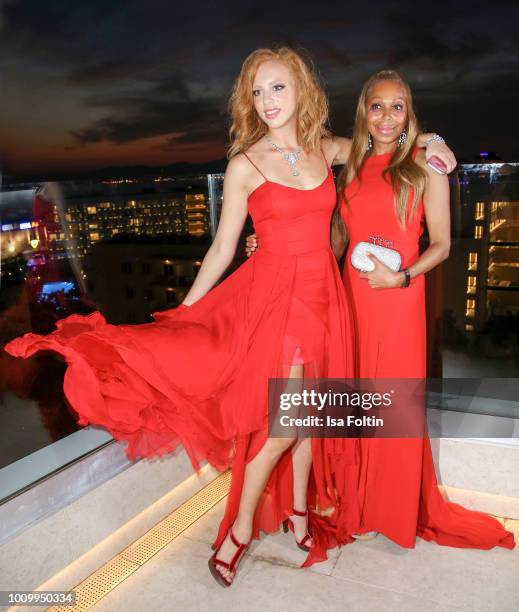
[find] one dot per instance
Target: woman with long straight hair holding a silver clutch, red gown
(398, 490)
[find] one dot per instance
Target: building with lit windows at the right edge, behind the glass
(482, 272)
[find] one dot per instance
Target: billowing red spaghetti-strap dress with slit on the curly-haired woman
(199, 375)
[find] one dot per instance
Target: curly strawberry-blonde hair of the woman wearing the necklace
(312, 104)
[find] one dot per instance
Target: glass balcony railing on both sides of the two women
(130, 249)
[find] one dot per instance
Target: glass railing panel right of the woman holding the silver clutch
(480, 287)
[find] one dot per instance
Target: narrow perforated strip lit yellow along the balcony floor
(112, 573)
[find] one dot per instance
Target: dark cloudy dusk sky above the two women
(96, 83)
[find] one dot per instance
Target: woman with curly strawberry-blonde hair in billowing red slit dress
(198, 375)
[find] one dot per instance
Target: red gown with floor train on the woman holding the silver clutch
(398, 490)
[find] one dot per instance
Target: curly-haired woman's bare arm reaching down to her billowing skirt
(221, 251)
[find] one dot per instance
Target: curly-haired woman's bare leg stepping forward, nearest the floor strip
(257, 473)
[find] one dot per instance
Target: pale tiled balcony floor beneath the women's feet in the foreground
(365, 576)
